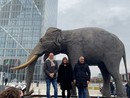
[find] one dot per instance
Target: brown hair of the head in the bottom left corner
(10, 92)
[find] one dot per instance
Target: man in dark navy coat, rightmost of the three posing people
(82, 77)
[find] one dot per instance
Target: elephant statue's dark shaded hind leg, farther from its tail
(106, 80)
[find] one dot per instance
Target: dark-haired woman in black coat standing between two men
(65, 77)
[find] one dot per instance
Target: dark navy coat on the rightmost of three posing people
(81, 74)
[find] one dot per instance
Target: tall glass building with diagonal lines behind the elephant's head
(22, 23)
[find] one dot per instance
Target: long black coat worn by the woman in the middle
(65, 77)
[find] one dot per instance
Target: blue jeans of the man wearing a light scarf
(54, 83)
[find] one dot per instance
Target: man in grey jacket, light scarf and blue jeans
(51, 69)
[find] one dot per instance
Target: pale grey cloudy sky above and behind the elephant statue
(112, 15)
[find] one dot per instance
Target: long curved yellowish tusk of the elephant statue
(34, 57)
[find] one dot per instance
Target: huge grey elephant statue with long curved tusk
(101, 48)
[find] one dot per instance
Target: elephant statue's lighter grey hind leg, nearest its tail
(113, 68)
